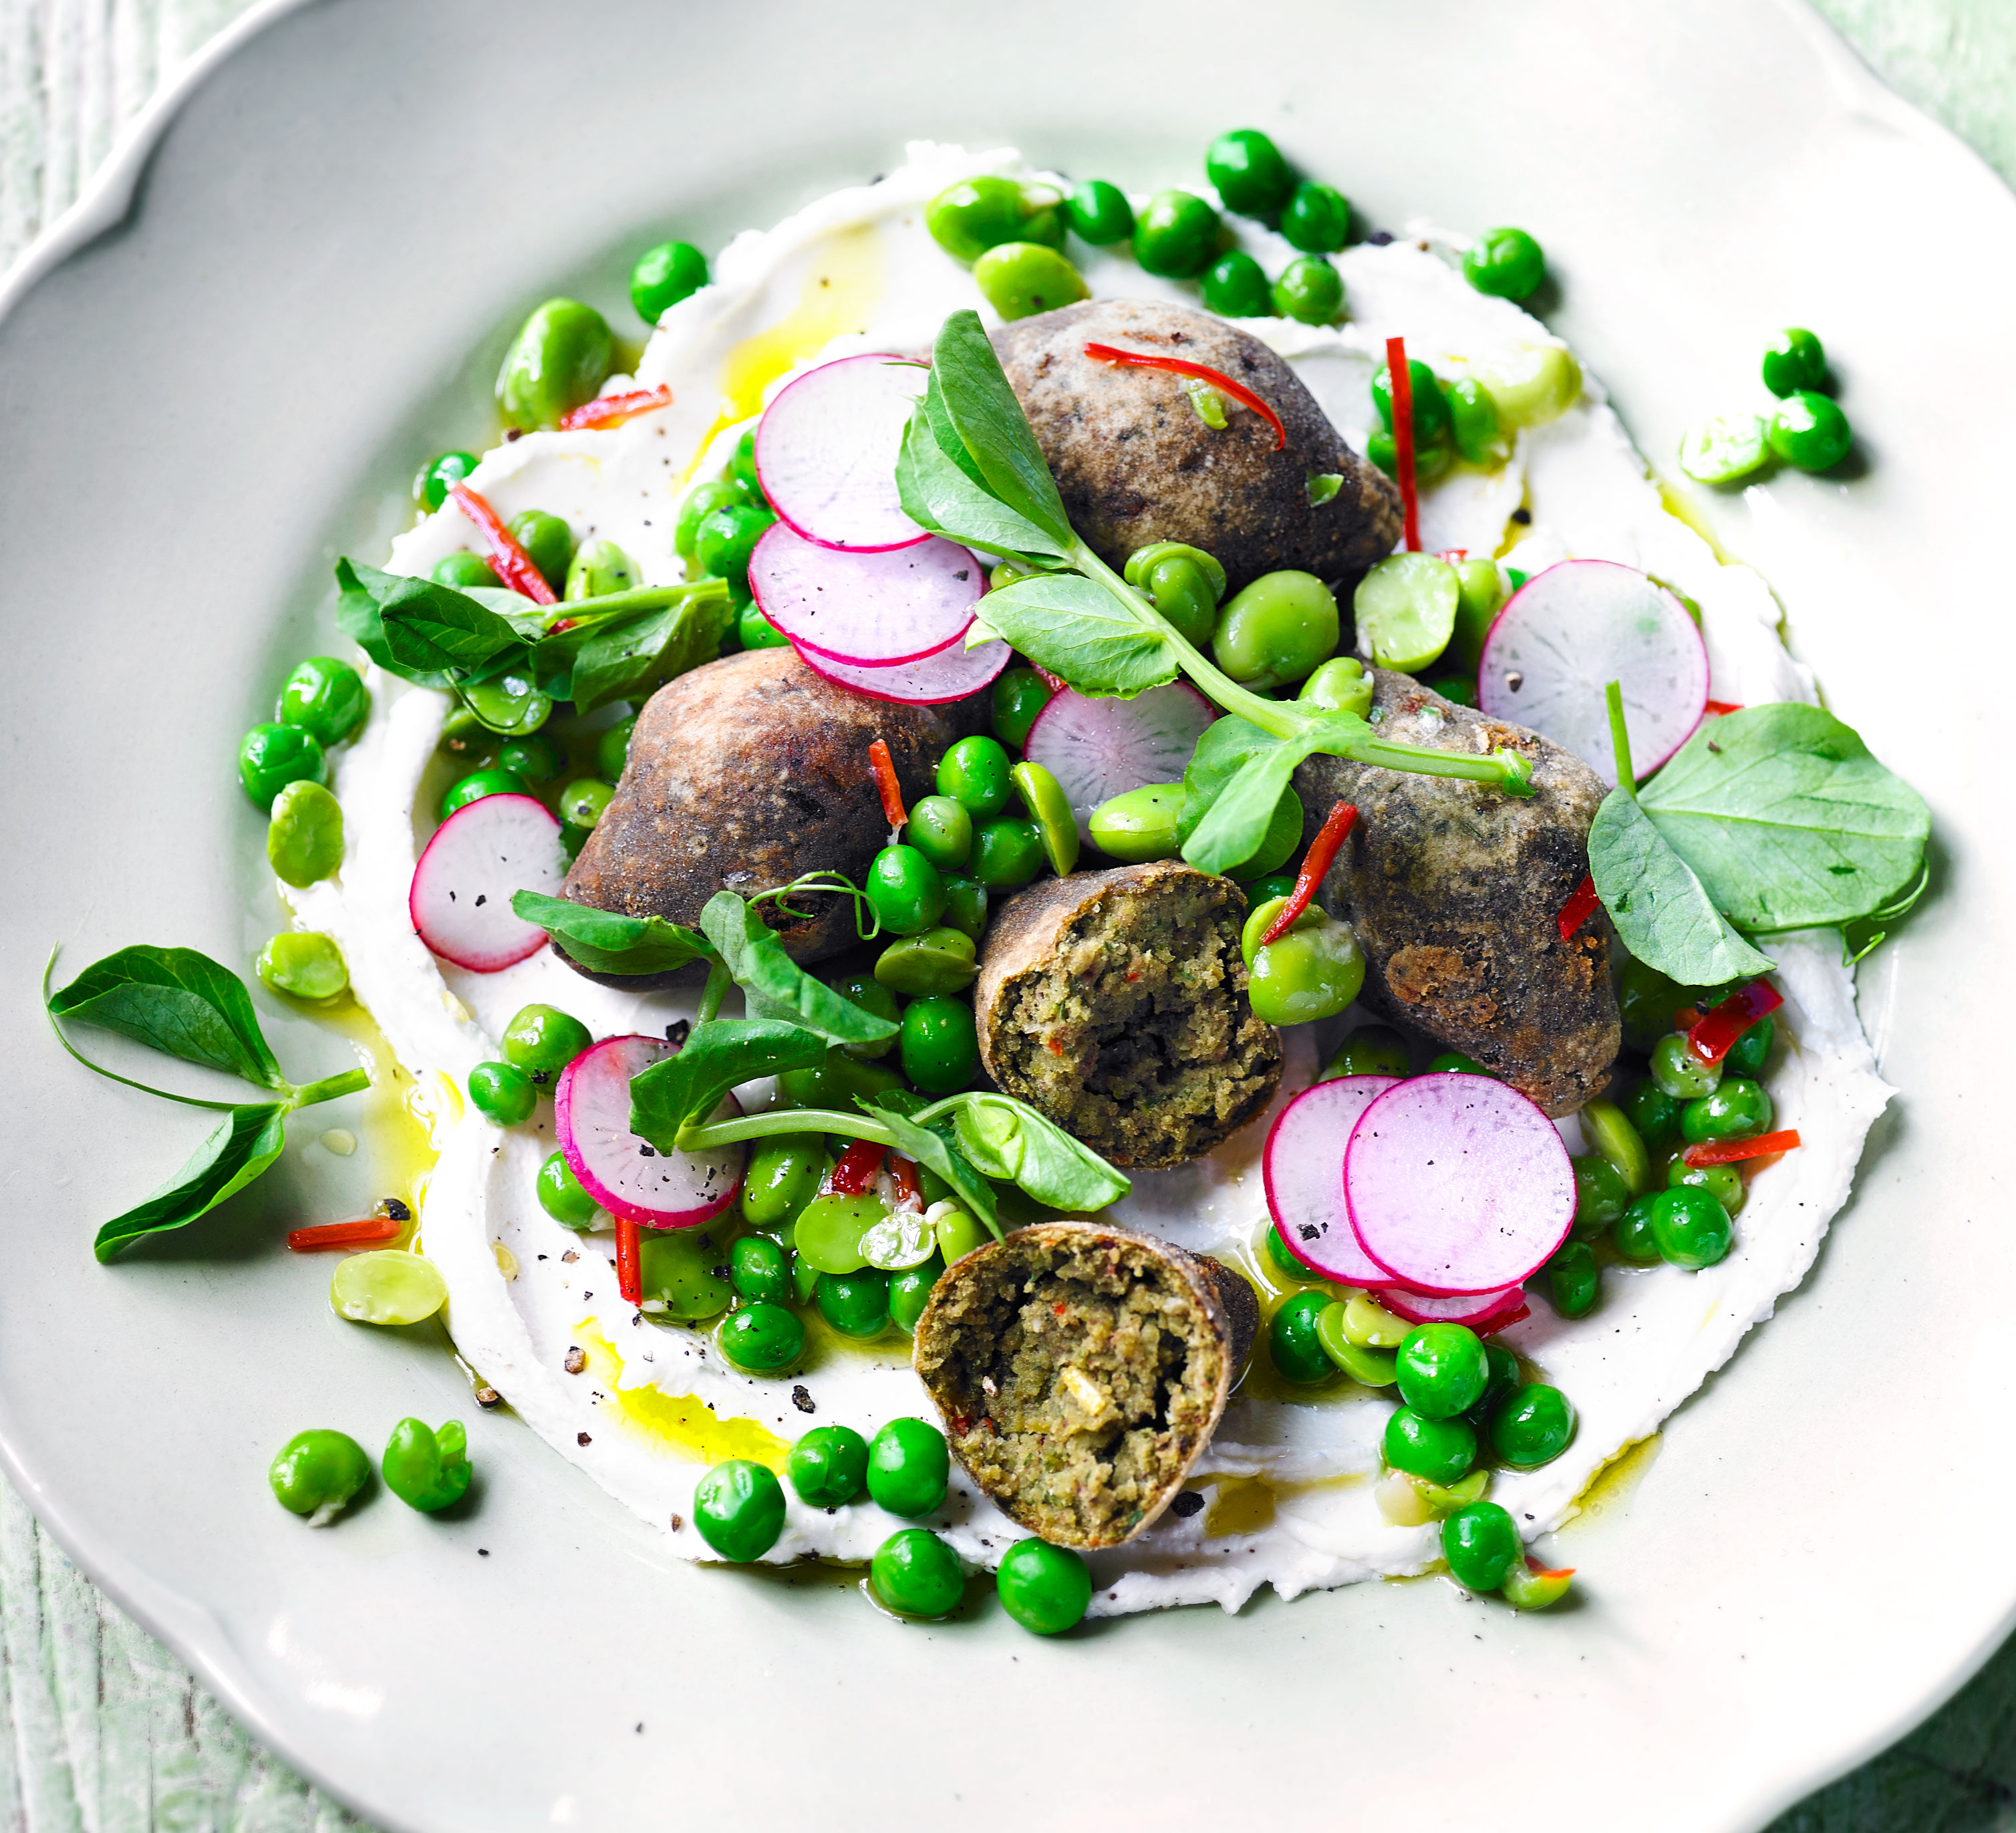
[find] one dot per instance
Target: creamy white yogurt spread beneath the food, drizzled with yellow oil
(1291, 1483)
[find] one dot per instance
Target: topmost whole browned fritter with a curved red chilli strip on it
(1136, 463)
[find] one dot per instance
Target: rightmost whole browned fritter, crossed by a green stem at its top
(1455, 890)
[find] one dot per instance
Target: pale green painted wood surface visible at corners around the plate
(102, 1729)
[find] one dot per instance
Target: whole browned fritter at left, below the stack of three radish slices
(745, 775)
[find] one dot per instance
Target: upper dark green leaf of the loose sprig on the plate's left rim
(174, 1001)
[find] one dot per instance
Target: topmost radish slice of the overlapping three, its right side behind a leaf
(828, 451)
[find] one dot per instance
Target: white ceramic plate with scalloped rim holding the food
(207, 404)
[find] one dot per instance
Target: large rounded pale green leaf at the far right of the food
(1787, 820)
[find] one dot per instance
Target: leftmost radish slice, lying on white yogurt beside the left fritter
(463, 886)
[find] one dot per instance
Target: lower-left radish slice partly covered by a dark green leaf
(630, 1177)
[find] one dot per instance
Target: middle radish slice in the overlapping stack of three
(866, 610)
